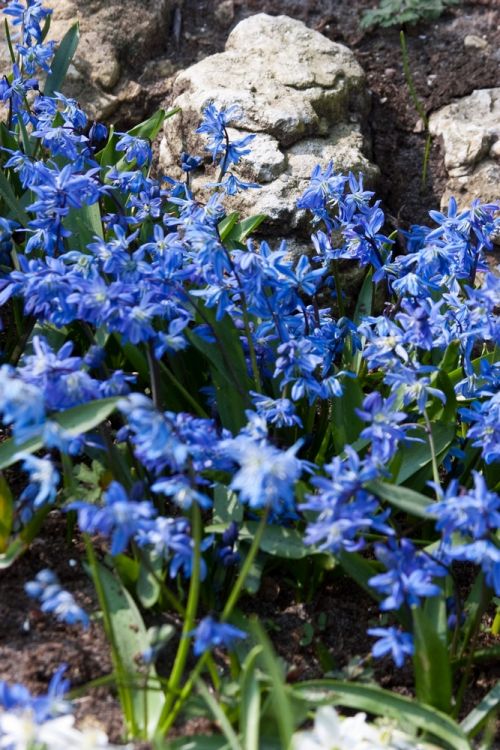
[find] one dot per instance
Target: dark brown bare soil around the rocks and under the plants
(33, 645)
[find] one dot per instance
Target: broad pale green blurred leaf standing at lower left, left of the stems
(131, 640)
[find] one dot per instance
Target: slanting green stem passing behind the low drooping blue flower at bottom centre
(167, 719)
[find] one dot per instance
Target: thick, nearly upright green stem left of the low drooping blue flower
(191, 610)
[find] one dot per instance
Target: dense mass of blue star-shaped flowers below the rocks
(135, 283)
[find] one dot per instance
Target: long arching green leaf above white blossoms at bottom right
(380, 702)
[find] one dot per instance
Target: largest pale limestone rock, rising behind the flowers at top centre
(302, 95)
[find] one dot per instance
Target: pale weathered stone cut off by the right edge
(470, 132)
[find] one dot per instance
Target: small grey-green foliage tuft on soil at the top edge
(401, 12)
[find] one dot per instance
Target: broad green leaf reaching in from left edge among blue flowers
(76, 421)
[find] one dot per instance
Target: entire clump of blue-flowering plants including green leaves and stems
(208, 407)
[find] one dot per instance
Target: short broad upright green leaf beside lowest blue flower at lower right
(433, 682)
